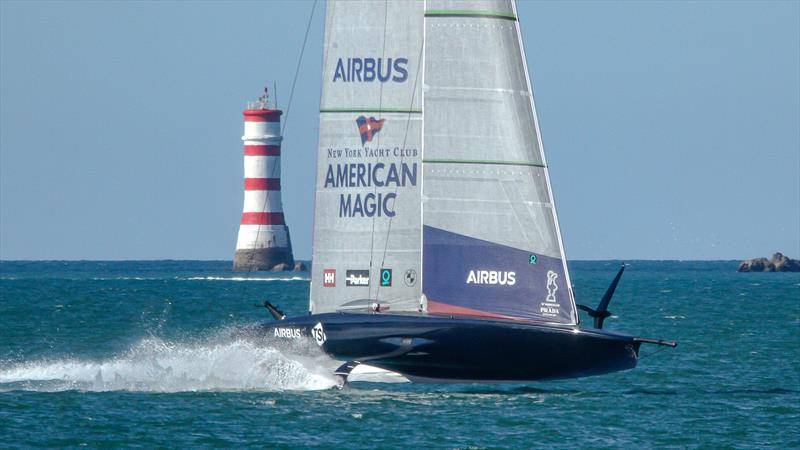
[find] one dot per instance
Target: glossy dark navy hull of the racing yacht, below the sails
(435, 348)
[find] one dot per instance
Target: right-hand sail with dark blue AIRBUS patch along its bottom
(491, 244)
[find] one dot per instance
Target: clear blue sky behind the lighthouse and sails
(671, 128)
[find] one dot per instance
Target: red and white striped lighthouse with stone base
(263, 242)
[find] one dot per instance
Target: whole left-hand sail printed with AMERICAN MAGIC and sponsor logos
(367, 240)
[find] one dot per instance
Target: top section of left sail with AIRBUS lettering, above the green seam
(373, 52)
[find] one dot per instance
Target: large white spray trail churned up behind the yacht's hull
(157, 365)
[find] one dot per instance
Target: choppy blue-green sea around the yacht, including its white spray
(146, 354)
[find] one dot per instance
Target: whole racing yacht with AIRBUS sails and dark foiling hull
(437, 252)
